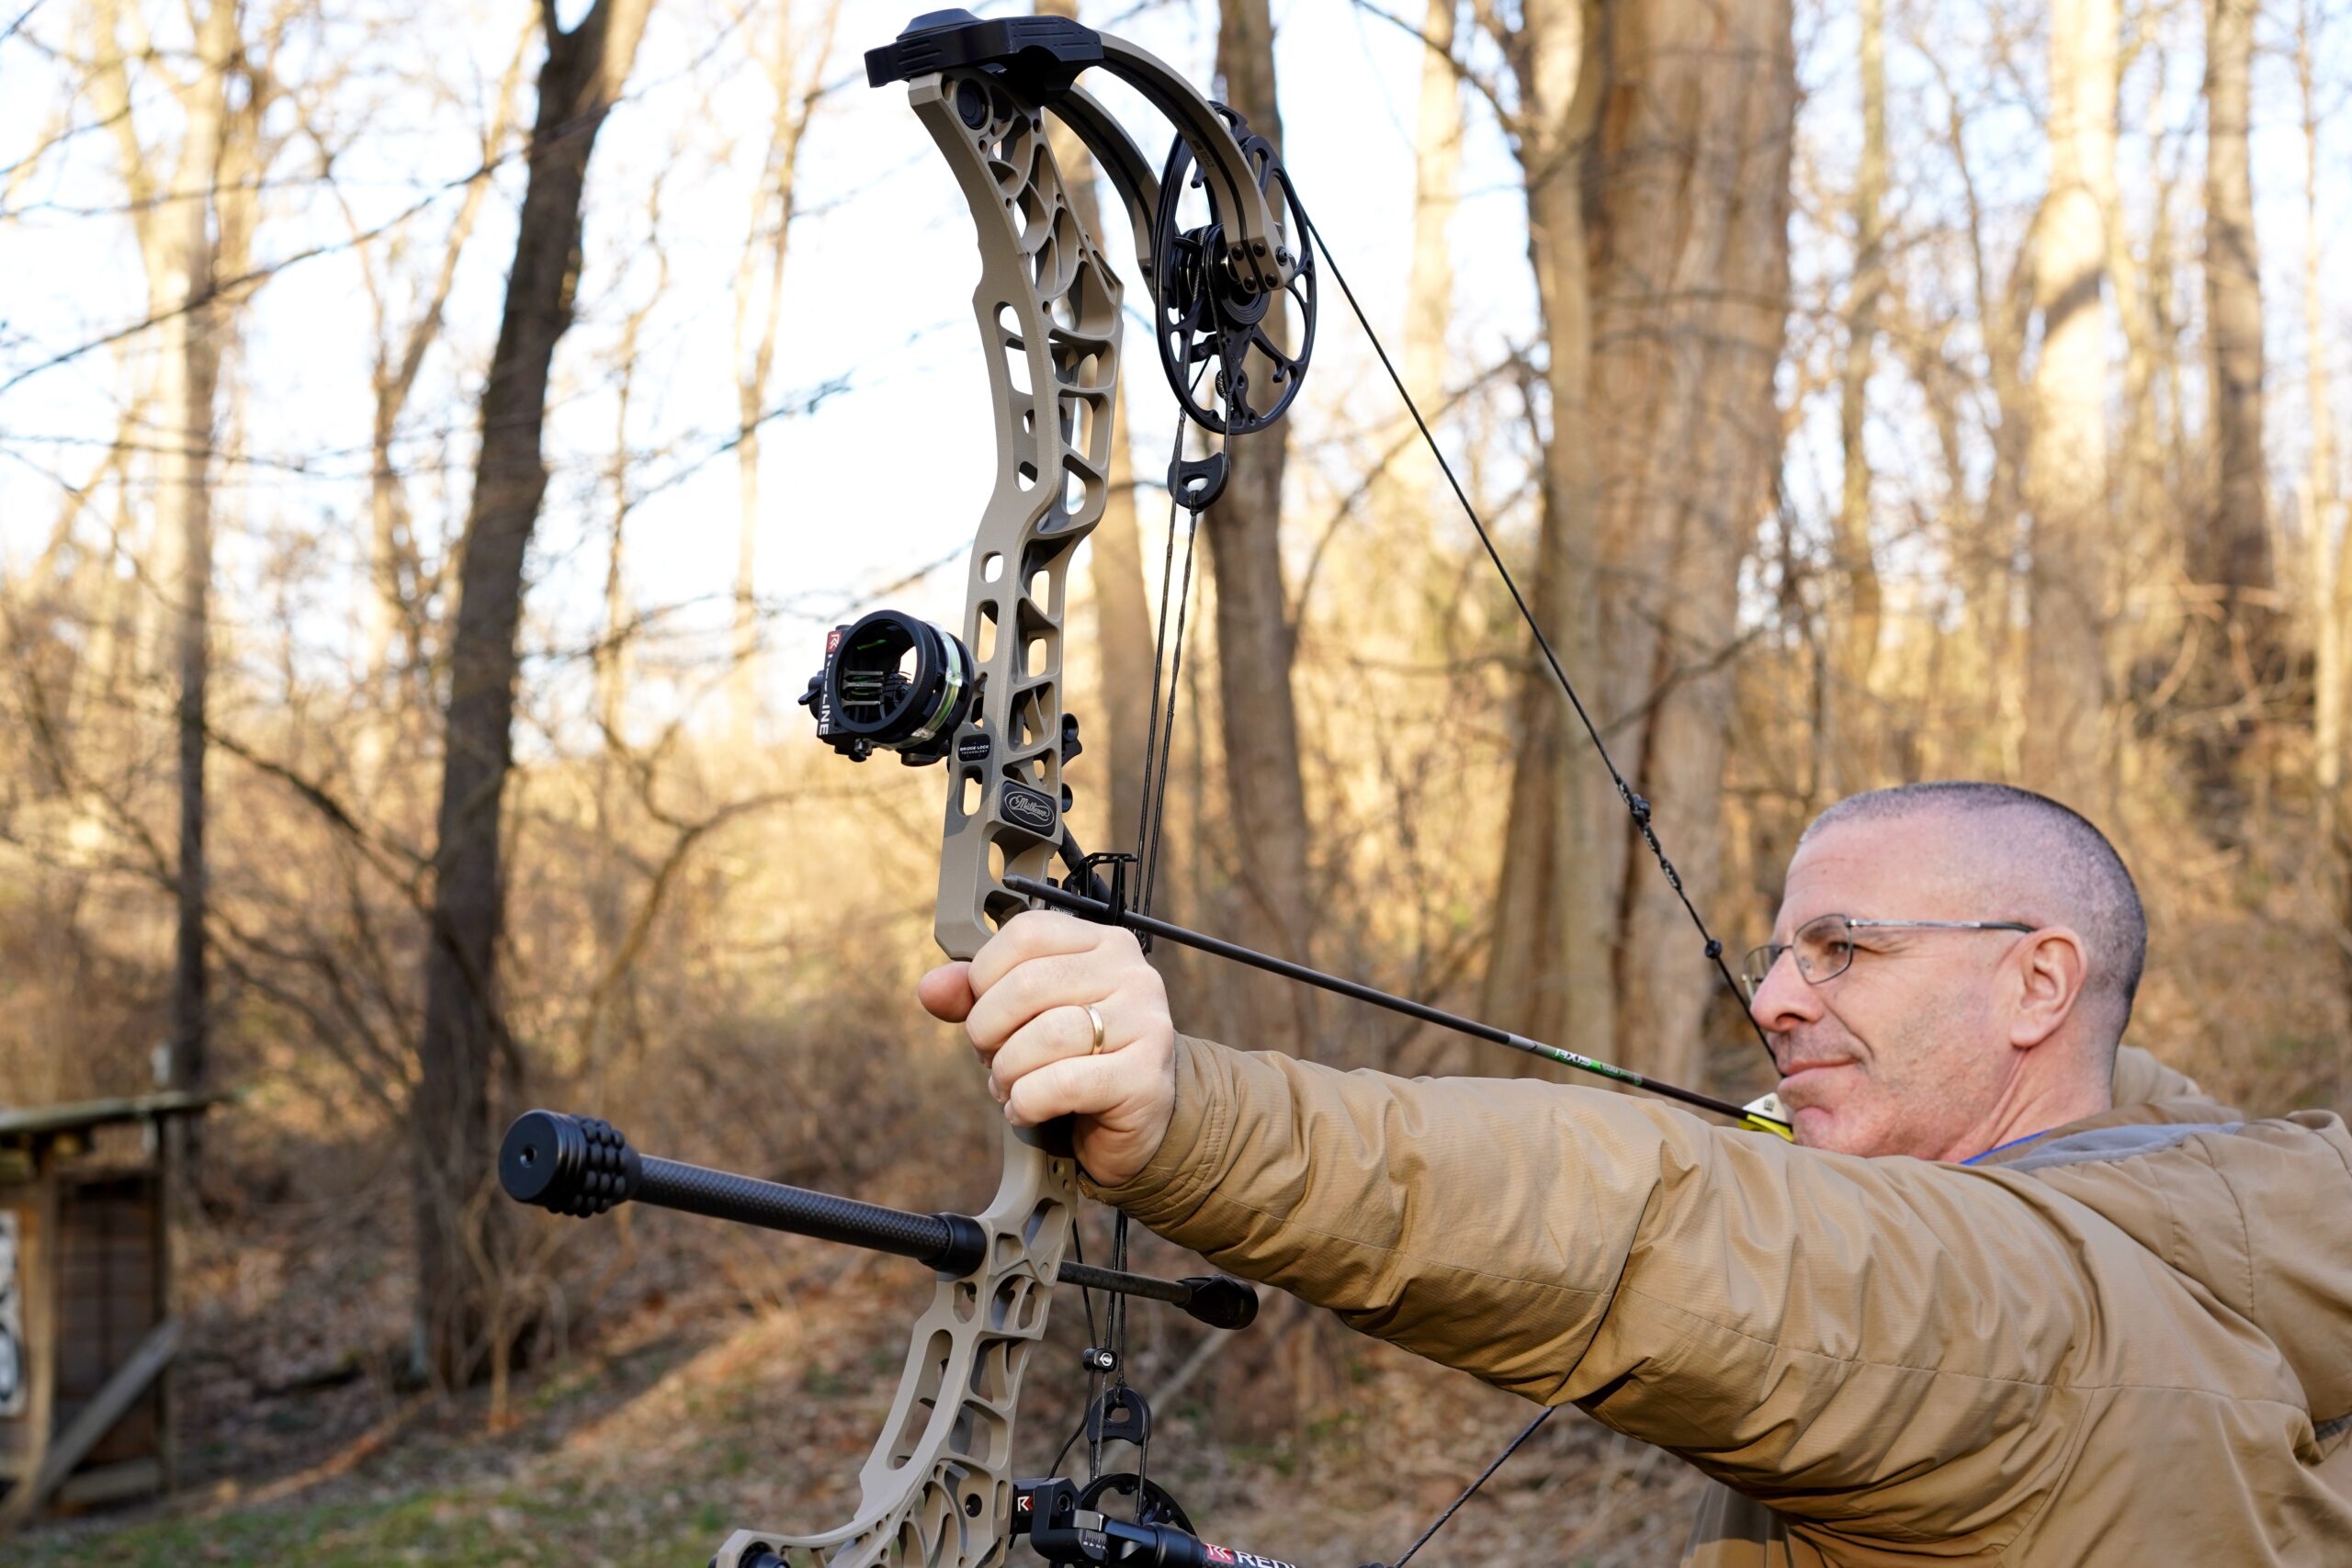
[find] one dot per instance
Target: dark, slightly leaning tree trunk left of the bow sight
(460, 1235)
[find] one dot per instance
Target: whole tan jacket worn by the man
(2125, 1343)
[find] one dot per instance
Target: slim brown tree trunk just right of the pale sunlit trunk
(2231, 554)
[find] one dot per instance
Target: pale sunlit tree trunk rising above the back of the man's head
(2066, 467)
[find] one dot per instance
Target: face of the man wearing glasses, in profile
(1906, 1050)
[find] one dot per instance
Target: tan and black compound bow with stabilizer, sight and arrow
(1234, 307)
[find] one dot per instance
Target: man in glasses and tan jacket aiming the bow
(1986, 1311)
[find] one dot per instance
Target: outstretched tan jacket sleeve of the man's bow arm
(1885, 1348)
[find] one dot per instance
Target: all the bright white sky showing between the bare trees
(888, 476)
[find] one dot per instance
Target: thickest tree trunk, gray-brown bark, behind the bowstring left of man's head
(1659, 239)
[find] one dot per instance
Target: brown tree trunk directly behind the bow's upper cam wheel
(1255, 645)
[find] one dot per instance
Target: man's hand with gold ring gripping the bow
(1024, 1003)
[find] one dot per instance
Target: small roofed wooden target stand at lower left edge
(86, 1301)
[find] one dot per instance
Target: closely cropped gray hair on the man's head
(2031, 859)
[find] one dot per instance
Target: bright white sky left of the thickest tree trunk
(855, 492)
